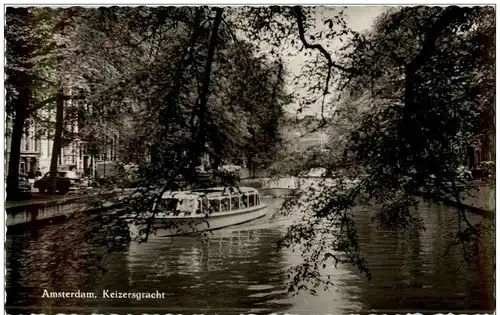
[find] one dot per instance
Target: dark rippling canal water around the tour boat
(241, 270)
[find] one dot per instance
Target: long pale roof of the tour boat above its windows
(209, 192)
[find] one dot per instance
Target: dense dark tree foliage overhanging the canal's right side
(412, 98)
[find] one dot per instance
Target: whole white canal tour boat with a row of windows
(185, 212)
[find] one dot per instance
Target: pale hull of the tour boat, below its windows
(174, 226)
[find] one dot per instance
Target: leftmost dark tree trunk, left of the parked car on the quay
(15, 152)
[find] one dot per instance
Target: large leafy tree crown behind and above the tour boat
(156, 94)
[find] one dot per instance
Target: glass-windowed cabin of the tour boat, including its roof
(208, 201)
